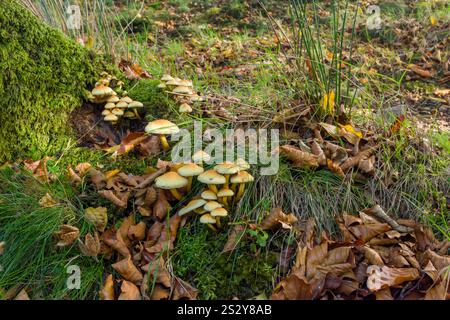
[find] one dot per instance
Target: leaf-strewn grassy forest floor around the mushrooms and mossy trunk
(241, 58)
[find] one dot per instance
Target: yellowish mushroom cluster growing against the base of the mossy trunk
(107, 91)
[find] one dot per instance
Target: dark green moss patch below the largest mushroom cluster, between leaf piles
(198, 258)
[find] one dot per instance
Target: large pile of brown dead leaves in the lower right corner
(378, 258)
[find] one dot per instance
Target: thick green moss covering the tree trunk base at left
(43, 76)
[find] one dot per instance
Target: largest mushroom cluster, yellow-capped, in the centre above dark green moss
(213, 202)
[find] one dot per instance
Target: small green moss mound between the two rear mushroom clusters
(157, 102)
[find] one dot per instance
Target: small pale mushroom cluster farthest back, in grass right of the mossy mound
(183, 91)
